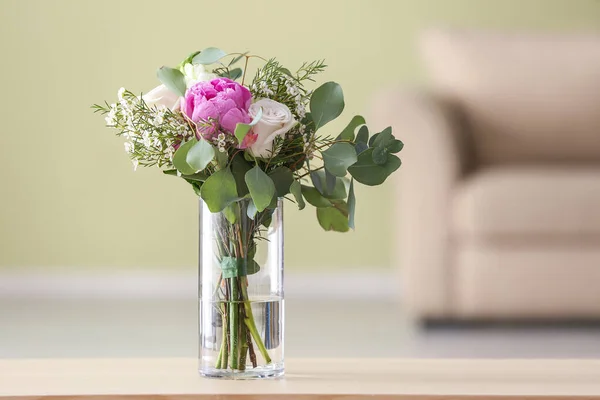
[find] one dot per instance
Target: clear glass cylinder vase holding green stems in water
(241, 302)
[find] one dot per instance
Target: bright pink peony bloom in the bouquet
(222, 101)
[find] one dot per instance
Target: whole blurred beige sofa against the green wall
(499, 195)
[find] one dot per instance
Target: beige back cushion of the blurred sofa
(527, 98)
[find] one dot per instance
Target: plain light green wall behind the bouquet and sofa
(68, 195)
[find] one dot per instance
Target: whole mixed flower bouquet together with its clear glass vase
(244, 146)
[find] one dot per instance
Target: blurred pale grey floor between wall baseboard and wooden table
(167, 328)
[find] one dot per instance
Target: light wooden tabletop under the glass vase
(323, 379)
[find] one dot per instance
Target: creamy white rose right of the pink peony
(276, 121)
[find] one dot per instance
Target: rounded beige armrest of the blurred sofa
(434, 158)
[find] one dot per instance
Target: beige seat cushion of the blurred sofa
(528, 202)
